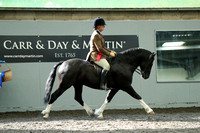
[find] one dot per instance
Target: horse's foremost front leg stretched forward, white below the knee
(134, 94)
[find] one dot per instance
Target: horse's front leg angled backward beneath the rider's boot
(110, 95)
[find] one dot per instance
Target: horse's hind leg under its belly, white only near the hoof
(78, 97)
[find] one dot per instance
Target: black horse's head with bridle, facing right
(146, 66)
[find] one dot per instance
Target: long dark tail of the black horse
(50, 81)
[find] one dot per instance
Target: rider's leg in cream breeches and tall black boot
(106, 67)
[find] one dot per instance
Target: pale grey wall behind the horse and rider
(26, 90)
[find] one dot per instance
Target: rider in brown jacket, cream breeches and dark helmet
(98, 52)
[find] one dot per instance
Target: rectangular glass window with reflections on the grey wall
(178, 56)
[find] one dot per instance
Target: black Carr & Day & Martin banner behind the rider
(56, 48)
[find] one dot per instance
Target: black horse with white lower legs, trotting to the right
(78, 72)
